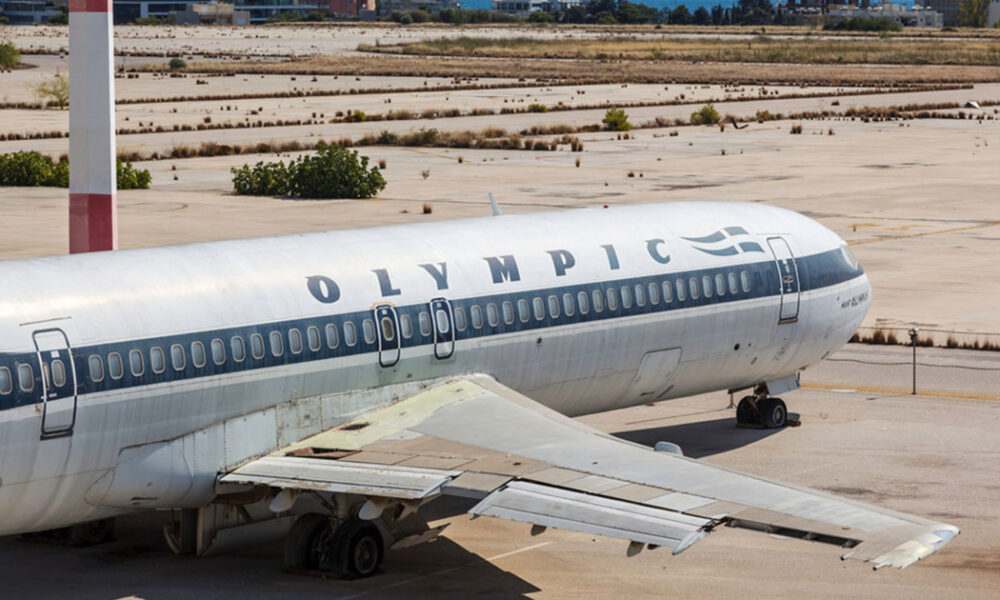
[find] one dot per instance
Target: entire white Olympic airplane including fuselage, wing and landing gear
(325, 387)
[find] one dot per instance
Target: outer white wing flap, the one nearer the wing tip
(567, 509)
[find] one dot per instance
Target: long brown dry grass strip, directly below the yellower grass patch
(593, 71)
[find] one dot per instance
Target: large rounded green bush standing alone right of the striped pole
(333, 172)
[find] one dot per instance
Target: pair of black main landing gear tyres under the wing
(348, 549)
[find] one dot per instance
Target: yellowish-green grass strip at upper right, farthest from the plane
(761, 49)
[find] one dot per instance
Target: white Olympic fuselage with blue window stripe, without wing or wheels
(584, 311)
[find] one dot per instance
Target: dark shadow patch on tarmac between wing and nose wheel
(700, 439)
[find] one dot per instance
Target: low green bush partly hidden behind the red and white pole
(34, 169)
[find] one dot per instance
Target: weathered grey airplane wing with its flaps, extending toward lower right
(473, 437)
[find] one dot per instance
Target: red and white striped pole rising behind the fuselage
(93, 206)
